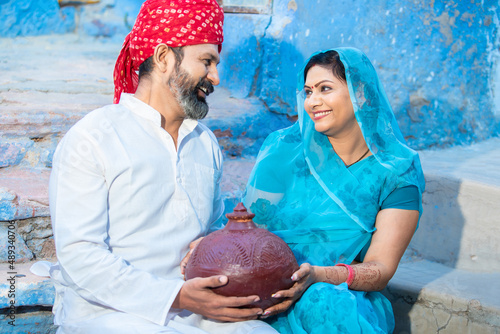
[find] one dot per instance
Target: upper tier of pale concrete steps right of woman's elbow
(460, 226)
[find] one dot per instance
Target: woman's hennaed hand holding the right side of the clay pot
(303, 278)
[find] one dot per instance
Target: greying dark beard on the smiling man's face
(186, 92)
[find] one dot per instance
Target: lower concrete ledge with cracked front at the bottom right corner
(428, 297)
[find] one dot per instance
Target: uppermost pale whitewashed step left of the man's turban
(71, 64)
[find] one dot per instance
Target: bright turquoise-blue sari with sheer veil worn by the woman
(301, 190)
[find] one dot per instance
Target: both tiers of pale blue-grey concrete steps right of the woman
(449, 281)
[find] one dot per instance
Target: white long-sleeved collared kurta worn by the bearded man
(125, 204)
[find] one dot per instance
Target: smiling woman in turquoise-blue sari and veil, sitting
(343, 189)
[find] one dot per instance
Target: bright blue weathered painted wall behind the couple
(437, 59)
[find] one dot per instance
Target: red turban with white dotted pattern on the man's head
(173, 22)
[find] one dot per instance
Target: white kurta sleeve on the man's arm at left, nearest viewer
(79, 209)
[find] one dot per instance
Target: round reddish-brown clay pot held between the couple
(256, 261)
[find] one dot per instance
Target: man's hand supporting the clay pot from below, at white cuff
(196, 295)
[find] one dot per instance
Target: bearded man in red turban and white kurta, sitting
(135, 182)
